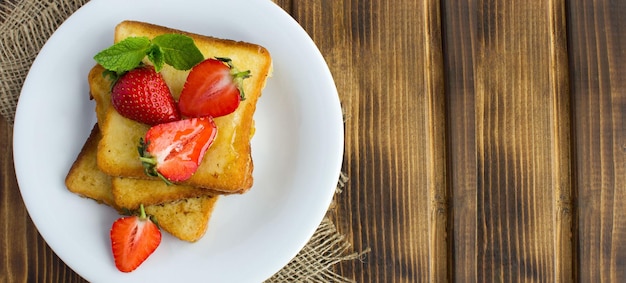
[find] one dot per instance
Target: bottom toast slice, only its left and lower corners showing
(186, 219)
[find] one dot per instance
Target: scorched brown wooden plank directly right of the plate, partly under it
(387, 63)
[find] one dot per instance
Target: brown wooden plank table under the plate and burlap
(484, 142)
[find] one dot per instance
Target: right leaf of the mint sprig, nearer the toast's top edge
(179, 50)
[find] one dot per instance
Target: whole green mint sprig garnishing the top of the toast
(176, 50)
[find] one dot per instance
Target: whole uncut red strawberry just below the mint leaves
(142, 95)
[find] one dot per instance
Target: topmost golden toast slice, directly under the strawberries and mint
(227, 166)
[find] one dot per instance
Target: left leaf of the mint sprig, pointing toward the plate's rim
(124, 55)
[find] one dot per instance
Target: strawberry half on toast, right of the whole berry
(214, 88)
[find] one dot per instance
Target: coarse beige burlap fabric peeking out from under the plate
(24, 28)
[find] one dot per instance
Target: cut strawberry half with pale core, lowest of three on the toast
(173, 151)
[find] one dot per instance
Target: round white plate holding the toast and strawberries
(297, 148)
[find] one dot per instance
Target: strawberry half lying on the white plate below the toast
(133, 240)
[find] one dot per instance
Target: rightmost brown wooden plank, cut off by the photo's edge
(598, 39)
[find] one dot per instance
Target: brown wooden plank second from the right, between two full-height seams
(508, 102)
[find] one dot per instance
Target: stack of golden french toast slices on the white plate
(108, 168)
